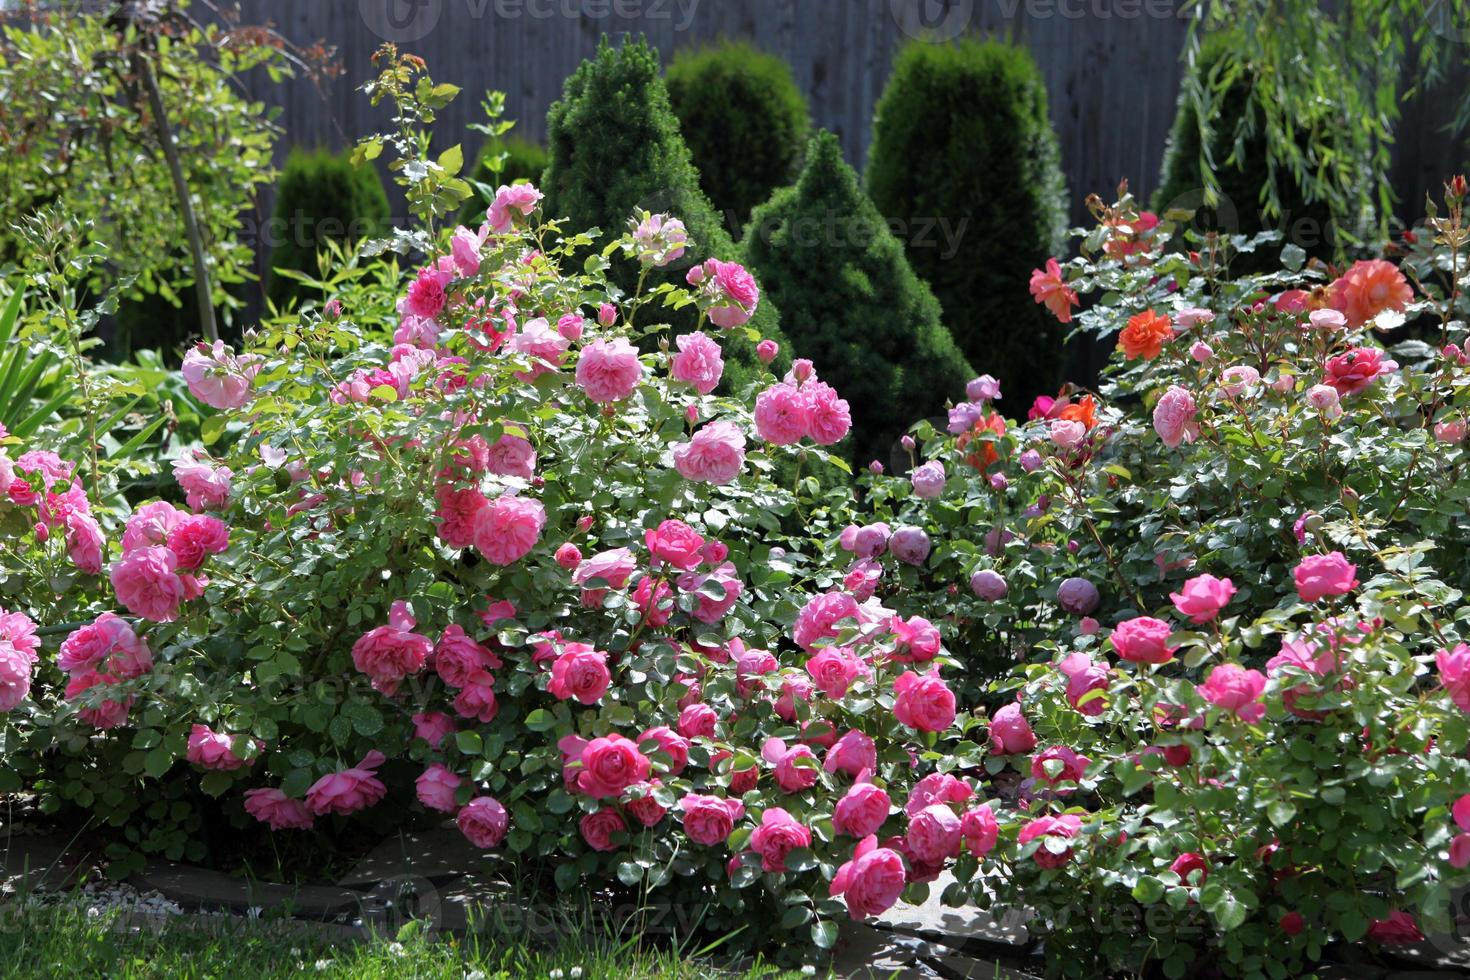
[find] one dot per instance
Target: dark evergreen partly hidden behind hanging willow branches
(1252, 198)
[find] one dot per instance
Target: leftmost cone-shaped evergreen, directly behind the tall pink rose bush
(615, 151)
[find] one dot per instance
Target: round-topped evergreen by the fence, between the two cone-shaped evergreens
(743, 118)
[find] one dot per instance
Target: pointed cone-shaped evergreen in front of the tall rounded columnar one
(852, 302)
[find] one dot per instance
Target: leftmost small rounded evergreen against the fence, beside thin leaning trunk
(321, 196)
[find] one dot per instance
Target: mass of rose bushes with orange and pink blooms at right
(1234, 583)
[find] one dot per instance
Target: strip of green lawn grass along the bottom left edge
(65, 941)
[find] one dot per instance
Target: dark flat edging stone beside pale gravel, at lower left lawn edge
(201, 888)
